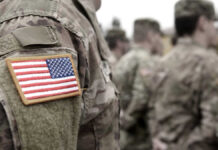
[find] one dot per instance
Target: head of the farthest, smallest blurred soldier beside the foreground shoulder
(117, 40)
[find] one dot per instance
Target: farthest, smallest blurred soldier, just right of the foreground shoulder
(117, 41)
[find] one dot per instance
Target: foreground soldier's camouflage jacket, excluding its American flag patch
(75, 31)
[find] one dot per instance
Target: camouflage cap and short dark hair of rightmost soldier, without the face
(188, 12)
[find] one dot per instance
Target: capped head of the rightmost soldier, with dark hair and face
(195, 17)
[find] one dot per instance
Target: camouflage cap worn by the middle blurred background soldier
(142, 24)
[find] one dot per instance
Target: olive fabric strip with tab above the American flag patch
(27, 36)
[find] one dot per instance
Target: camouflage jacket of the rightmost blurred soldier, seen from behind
(186, 99)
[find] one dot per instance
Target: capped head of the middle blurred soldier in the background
(148, 30)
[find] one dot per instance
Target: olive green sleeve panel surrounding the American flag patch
(52, 125)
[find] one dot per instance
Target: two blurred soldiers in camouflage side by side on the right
(170, 102)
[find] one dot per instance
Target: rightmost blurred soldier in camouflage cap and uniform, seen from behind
(185, 85)
